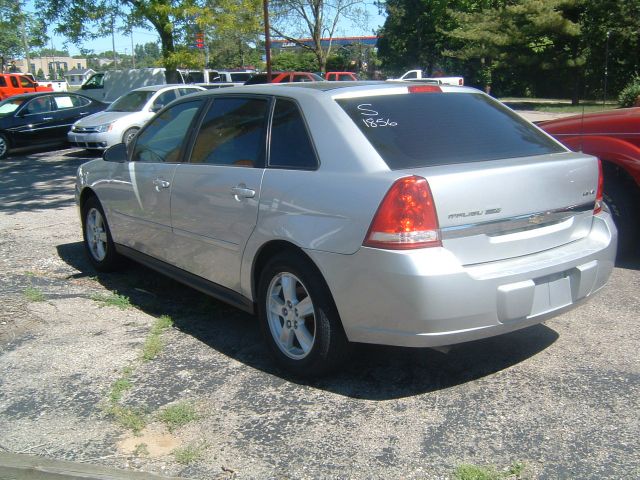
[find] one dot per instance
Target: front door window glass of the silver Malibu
(162, 140)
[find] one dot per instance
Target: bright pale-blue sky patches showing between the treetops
(142, 36)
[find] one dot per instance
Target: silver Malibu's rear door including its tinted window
(214, 198)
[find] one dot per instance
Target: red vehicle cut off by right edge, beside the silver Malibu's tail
(614, 137)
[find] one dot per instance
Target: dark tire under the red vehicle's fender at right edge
(622, 199)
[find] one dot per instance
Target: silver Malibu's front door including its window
(139, 191)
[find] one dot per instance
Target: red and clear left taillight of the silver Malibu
(406, 218)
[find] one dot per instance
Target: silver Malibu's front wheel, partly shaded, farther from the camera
(97, 237)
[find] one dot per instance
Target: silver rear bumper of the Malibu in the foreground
(426, 297)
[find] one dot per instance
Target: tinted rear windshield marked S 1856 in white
(427, 129)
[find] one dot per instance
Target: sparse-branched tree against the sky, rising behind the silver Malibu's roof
(294, 20)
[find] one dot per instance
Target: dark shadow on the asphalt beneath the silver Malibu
(373, 372)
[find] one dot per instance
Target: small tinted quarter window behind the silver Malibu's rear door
(290, 143)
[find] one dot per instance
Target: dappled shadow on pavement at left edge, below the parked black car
(49, 174)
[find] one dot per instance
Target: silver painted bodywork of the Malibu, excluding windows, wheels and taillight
(520, 241)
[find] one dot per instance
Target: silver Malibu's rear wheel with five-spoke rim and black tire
(298, 317)
